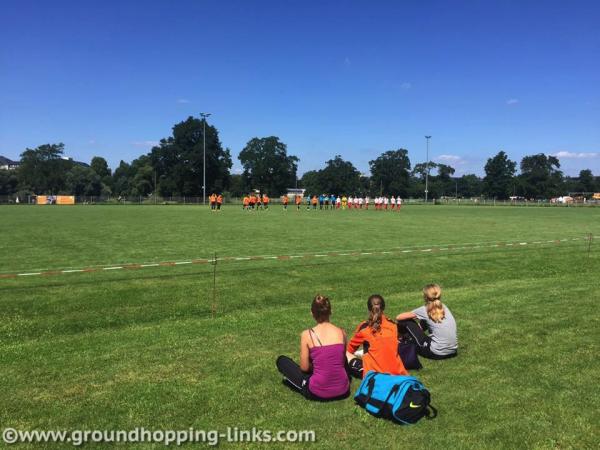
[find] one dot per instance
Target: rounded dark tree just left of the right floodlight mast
(390, 172)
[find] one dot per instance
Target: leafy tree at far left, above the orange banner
(43, 169)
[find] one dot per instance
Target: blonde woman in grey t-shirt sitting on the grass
(435, 318)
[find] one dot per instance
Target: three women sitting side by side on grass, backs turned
(328, 359)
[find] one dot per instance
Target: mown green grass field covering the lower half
(118, 349)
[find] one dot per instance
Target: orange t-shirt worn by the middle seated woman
(381, 348)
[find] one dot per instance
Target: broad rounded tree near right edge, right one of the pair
(540, 176)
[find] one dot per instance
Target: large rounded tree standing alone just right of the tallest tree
(267, 166)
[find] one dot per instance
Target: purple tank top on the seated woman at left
(329, 378)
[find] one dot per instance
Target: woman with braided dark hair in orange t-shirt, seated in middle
(378, 336)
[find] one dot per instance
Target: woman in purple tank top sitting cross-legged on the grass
(321, 374)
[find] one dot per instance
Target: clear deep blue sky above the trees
(110, 78)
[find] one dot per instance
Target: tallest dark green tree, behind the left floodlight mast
(178, 160)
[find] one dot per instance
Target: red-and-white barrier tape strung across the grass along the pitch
(473, 246)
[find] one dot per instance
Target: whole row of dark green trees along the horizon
(175, 167)
